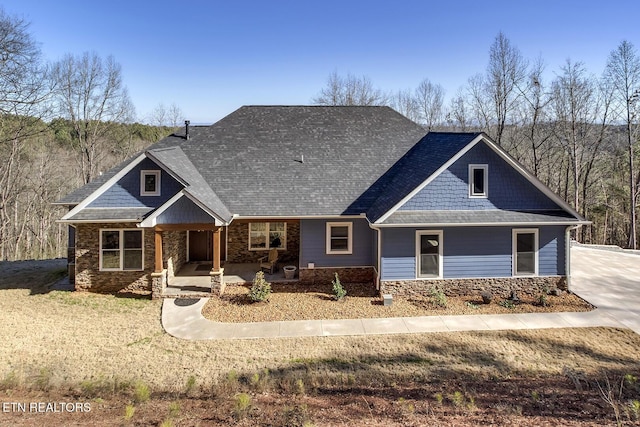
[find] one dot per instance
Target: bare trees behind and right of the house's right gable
(578, 133)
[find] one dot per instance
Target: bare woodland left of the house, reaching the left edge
(61, 125)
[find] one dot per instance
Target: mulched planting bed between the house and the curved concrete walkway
(305, 302)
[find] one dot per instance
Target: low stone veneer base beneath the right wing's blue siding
(500, 287)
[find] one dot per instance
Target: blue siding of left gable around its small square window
(126, 192)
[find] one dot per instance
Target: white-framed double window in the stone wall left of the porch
(121, 249)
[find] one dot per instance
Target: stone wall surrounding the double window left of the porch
(88, 274)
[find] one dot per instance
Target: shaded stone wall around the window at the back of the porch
(238, 243)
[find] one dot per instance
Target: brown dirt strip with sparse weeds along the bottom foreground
(442, 402)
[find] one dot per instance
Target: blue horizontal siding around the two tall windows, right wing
(470, 252)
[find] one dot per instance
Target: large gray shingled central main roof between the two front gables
(298, 160)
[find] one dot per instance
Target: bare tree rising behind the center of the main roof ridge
(350, 90)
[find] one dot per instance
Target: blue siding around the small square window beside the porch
(313, 244)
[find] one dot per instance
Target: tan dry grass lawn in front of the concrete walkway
(62, 339)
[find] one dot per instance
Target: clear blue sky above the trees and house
(211, 57)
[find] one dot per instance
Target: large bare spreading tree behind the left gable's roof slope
(90, 94)
